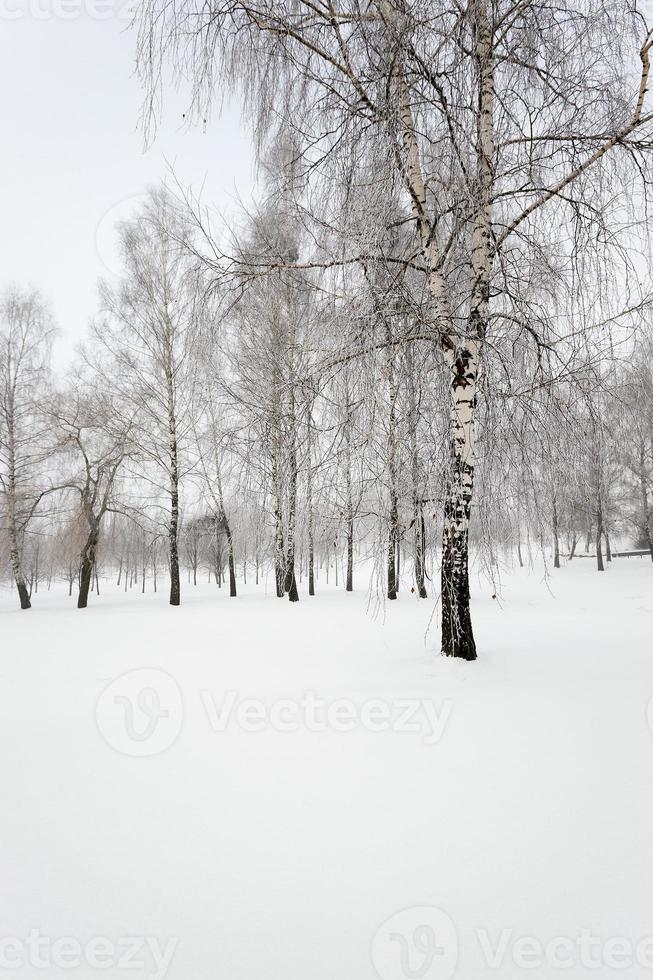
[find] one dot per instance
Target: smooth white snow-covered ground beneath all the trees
(251, 790)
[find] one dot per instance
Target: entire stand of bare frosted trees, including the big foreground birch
(438, 307)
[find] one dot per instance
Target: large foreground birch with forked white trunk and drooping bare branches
(489, 113)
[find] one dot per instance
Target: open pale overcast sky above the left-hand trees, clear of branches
(72, 157)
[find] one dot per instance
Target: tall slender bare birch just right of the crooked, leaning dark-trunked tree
(147, 329)
